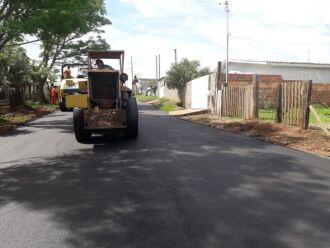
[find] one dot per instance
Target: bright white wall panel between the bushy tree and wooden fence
(200, 92)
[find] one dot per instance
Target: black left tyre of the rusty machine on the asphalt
(82, 135)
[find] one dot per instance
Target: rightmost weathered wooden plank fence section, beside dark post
(292, 103)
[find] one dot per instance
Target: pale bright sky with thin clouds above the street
(281, 30)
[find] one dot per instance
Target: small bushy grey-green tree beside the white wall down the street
(181, 73)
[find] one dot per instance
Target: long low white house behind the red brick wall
(318, 72)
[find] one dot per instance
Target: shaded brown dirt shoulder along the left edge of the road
(21, 115)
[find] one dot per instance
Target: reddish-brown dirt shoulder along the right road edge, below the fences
(311, 140)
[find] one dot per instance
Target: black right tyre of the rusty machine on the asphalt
(132, 119)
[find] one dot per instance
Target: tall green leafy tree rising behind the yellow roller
(61, 27)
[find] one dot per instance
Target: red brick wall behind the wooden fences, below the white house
(268, 83)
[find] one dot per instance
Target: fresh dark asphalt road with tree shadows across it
(179, 185)
